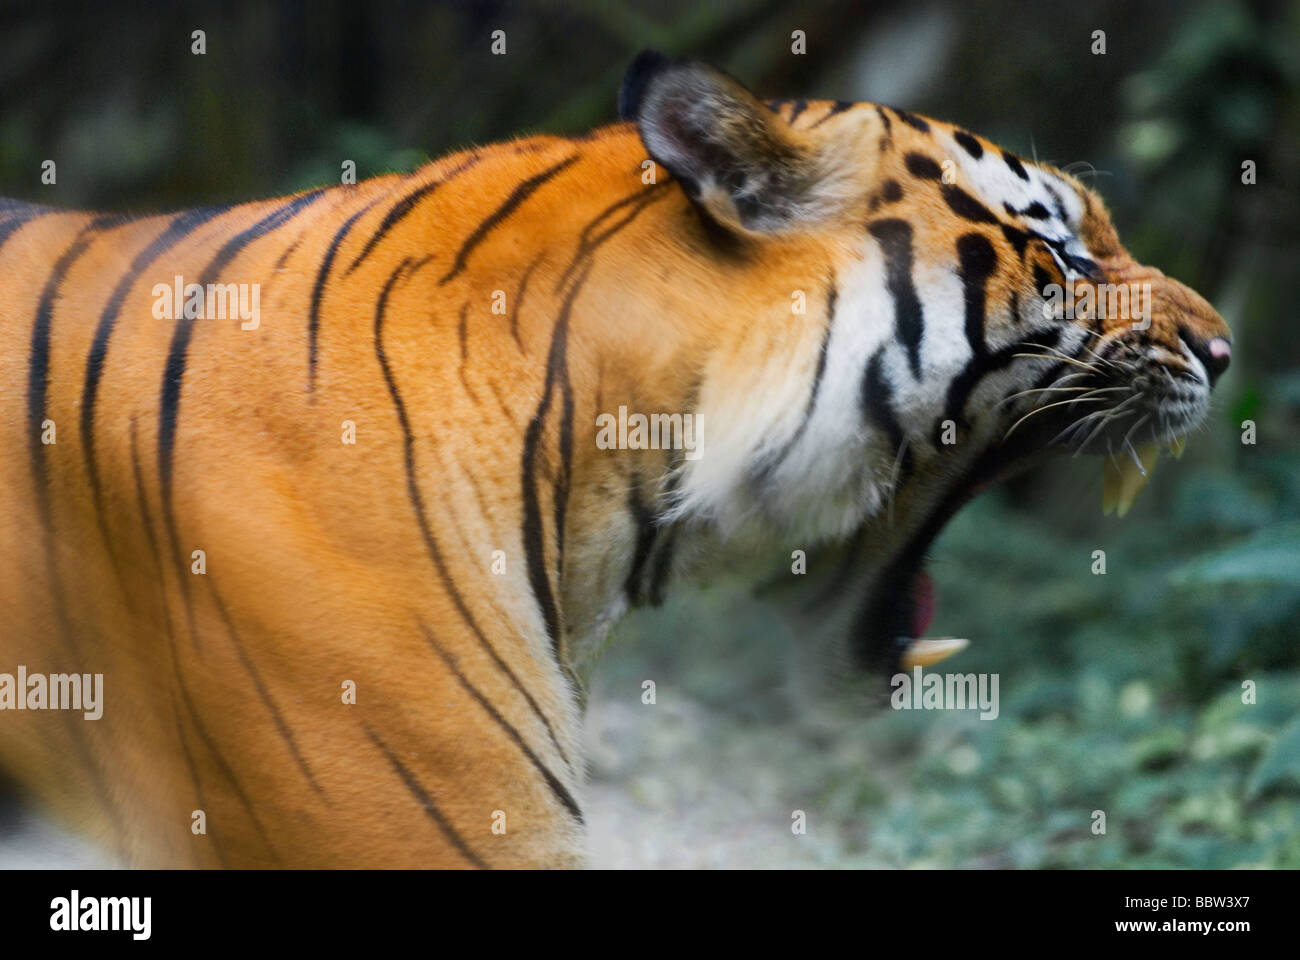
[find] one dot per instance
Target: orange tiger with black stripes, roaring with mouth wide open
(345, 564)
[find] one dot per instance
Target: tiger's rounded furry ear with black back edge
(738, 161)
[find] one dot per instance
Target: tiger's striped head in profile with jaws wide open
(977, 312)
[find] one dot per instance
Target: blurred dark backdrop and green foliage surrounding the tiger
(1120, 693)
